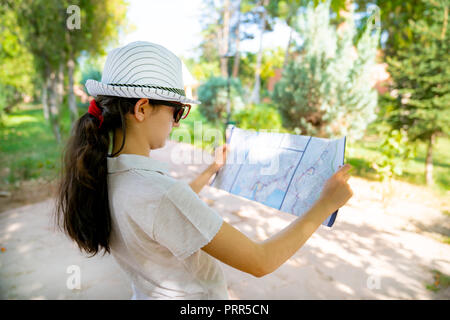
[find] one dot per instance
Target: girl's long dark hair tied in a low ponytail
(82, 206)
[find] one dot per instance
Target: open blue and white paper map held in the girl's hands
(283, 171)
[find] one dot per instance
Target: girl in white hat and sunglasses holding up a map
(163, 236)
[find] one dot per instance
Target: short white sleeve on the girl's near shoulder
(184, 223)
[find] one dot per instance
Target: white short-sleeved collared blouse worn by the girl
(159, 225)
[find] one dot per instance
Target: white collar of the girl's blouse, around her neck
(126, 161)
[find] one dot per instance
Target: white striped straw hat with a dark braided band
(141, 70)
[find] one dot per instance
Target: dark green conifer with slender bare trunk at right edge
(420, 98)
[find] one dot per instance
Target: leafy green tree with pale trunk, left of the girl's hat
(43, 29)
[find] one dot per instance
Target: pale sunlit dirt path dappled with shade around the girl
(372, 251)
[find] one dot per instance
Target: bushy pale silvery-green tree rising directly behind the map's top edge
(326, 90)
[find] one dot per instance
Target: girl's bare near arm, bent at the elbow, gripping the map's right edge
(257, 258)
